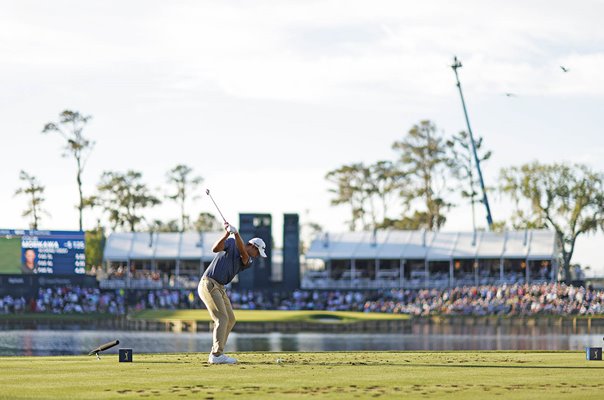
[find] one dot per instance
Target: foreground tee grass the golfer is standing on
(339, 375)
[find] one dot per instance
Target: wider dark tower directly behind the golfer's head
(257, 225)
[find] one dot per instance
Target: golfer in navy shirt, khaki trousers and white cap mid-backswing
(233, 257)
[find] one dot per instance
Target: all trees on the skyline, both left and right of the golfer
(416, 190)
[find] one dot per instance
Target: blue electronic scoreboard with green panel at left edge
(42, 252)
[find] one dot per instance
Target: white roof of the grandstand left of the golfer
(124, 246)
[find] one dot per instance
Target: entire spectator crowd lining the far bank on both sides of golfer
(504, 300)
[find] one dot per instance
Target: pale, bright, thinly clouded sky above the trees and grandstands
(263, 98)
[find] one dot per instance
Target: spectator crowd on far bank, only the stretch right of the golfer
(543, 299)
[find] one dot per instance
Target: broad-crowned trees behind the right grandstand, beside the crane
(429, 169)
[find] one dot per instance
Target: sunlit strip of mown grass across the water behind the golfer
(268, 316)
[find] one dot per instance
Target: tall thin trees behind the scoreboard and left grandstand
(121, 196)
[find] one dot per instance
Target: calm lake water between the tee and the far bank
(73, 342)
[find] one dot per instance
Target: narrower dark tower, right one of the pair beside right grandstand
(291, 252)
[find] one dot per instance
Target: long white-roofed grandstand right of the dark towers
(423, 259)
